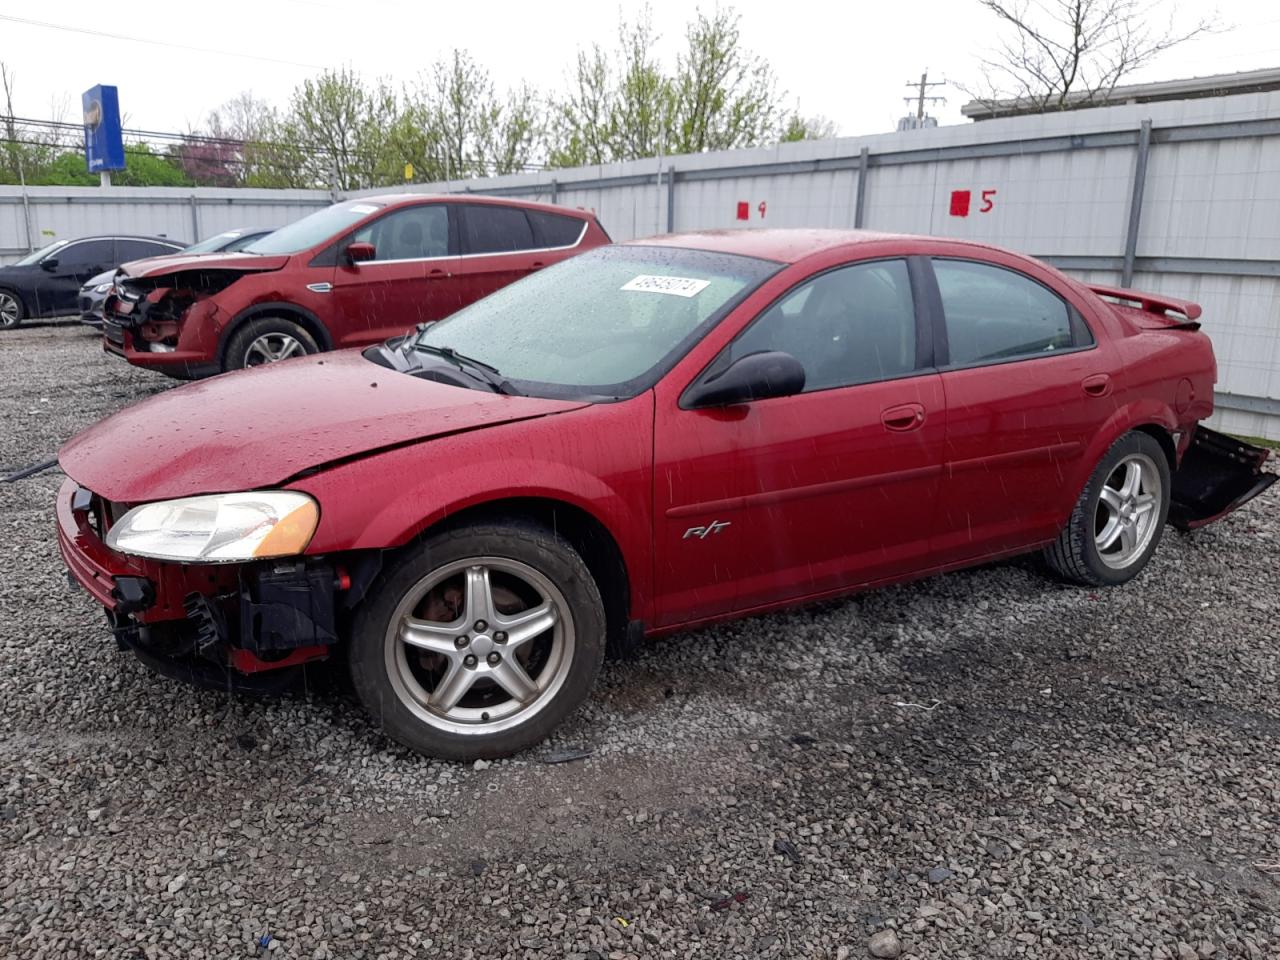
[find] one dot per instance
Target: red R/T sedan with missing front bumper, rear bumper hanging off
(644, 438)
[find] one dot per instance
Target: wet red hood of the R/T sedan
(262, 427)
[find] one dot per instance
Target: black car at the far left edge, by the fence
(47, 284)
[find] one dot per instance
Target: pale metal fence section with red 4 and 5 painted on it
(1182, 198)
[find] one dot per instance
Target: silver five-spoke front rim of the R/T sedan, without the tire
(479, 646)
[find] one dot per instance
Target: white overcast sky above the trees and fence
(849, 62)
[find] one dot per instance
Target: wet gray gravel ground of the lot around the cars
(1098, 775)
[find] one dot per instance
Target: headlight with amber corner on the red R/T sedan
(220, 528)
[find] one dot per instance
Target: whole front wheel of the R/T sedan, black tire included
(479, 643)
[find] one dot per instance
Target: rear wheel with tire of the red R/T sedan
(1119, 519)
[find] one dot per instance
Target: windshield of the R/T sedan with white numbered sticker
(604, 324)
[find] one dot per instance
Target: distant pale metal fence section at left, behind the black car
(34, 217)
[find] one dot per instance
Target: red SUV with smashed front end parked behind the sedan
(353, 275)
